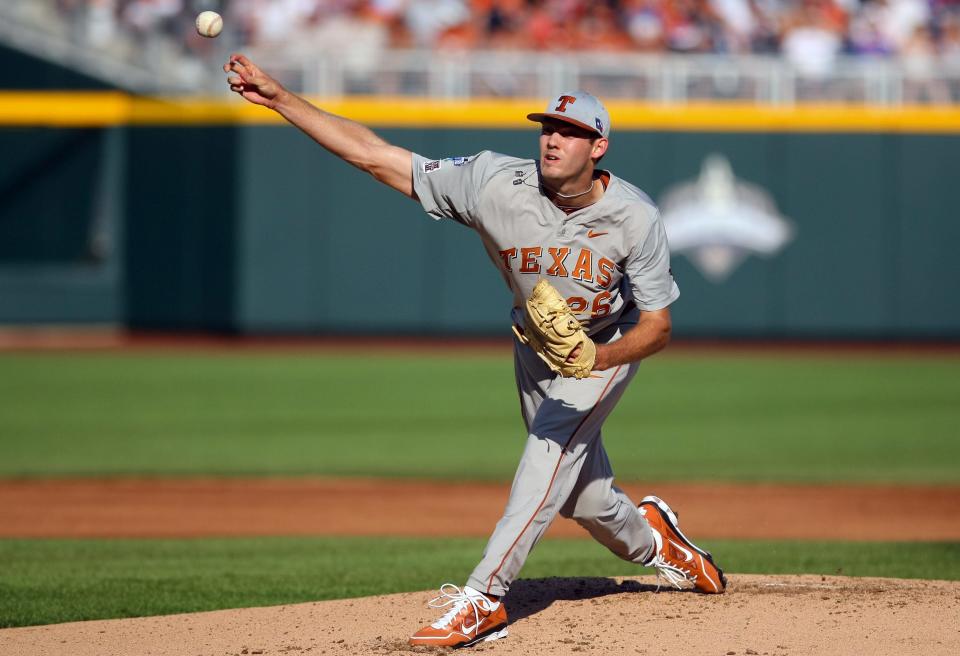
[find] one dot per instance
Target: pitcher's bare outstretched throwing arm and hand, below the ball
(348, 140)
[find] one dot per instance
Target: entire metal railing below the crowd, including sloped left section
(155, 64)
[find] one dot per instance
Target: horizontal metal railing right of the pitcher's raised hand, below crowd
(655, 78)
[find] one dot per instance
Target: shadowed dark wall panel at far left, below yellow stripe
(62, 194)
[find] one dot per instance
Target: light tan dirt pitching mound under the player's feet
(769, 615)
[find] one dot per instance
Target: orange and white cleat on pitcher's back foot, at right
(676, 558)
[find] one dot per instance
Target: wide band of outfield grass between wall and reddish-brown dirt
(825, 418)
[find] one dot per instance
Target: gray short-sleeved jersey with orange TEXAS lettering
(605, 259)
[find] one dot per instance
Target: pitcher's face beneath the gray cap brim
(567, 151)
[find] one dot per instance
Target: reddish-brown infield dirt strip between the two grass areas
(127, 507)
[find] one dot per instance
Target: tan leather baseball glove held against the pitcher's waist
(551, 329)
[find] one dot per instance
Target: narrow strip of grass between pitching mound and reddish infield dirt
(48, 581)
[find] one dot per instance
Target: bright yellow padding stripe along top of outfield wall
(104, 109)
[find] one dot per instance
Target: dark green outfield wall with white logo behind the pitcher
(219, 221)
